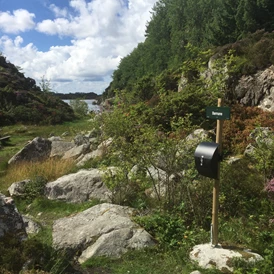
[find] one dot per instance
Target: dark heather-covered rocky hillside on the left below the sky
(21, 100)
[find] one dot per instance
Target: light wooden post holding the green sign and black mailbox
(216, 188)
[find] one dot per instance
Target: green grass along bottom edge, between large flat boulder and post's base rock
(147, 261)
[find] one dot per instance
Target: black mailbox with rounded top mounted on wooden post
(207, 158)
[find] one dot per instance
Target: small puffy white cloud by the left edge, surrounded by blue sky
(21, 20)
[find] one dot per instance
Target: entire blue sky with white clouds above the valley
(74, 44)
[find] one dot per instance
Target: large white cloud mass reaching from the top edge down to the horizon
(101, 33)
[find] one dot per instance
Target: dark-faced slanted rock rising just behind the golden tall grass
(37, 150)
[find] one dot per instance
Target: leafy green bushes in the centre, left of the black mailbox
(136, 143)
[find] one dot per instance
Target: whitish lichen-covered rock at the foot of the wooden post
(208, 256)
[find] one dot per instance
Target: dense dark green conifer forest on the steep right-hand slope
(174, 24)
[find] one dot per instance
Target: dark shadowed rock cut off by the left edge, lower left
(11, 222)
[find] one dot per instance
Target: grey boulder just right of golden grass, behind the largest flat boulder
(79, 187)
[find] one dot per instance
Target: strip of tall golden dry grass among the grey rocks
(49, 170)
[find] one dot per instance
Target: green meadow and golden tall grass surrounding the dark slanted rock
(20, 135)
